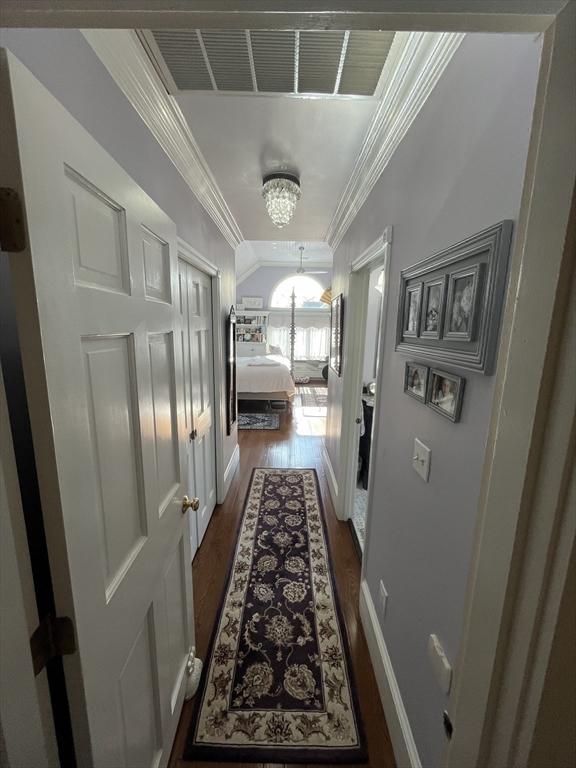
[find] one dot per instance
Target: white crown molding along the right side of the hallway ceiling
(415, 64)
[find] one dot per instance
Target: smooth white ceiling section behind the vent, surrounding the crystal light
(244, 137)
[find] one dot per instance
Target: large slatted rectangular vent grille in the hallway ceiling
(242, 61)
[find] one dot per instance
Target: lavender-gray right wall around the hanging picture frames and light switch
(459, 169)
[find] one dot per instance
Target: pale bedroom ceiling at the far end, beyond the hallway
(251, 254)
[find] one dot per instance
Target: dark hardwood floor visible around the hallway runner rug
(297, 443)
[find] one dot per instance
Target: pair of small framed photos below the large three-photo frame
(440, 390)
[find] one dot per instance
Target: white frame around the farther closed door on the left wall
(191, 256)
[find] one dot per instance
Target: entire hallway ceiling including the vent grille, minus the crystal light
(264, 101)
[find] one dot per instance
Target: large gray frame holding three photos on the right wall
(451, 303)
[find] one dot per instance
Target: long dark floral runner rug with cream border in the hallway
(278, 685)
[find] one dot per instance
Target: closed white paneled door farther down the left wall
(195, 291)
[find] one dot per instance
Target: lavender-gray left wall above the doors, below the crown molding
(64, 62)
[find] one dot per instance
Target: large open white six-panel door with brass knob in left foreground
(97, 301)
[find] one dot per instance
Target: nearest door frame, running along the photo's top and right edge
(516, 423)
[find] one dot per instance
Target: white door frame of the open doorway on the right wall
(376, 255)
